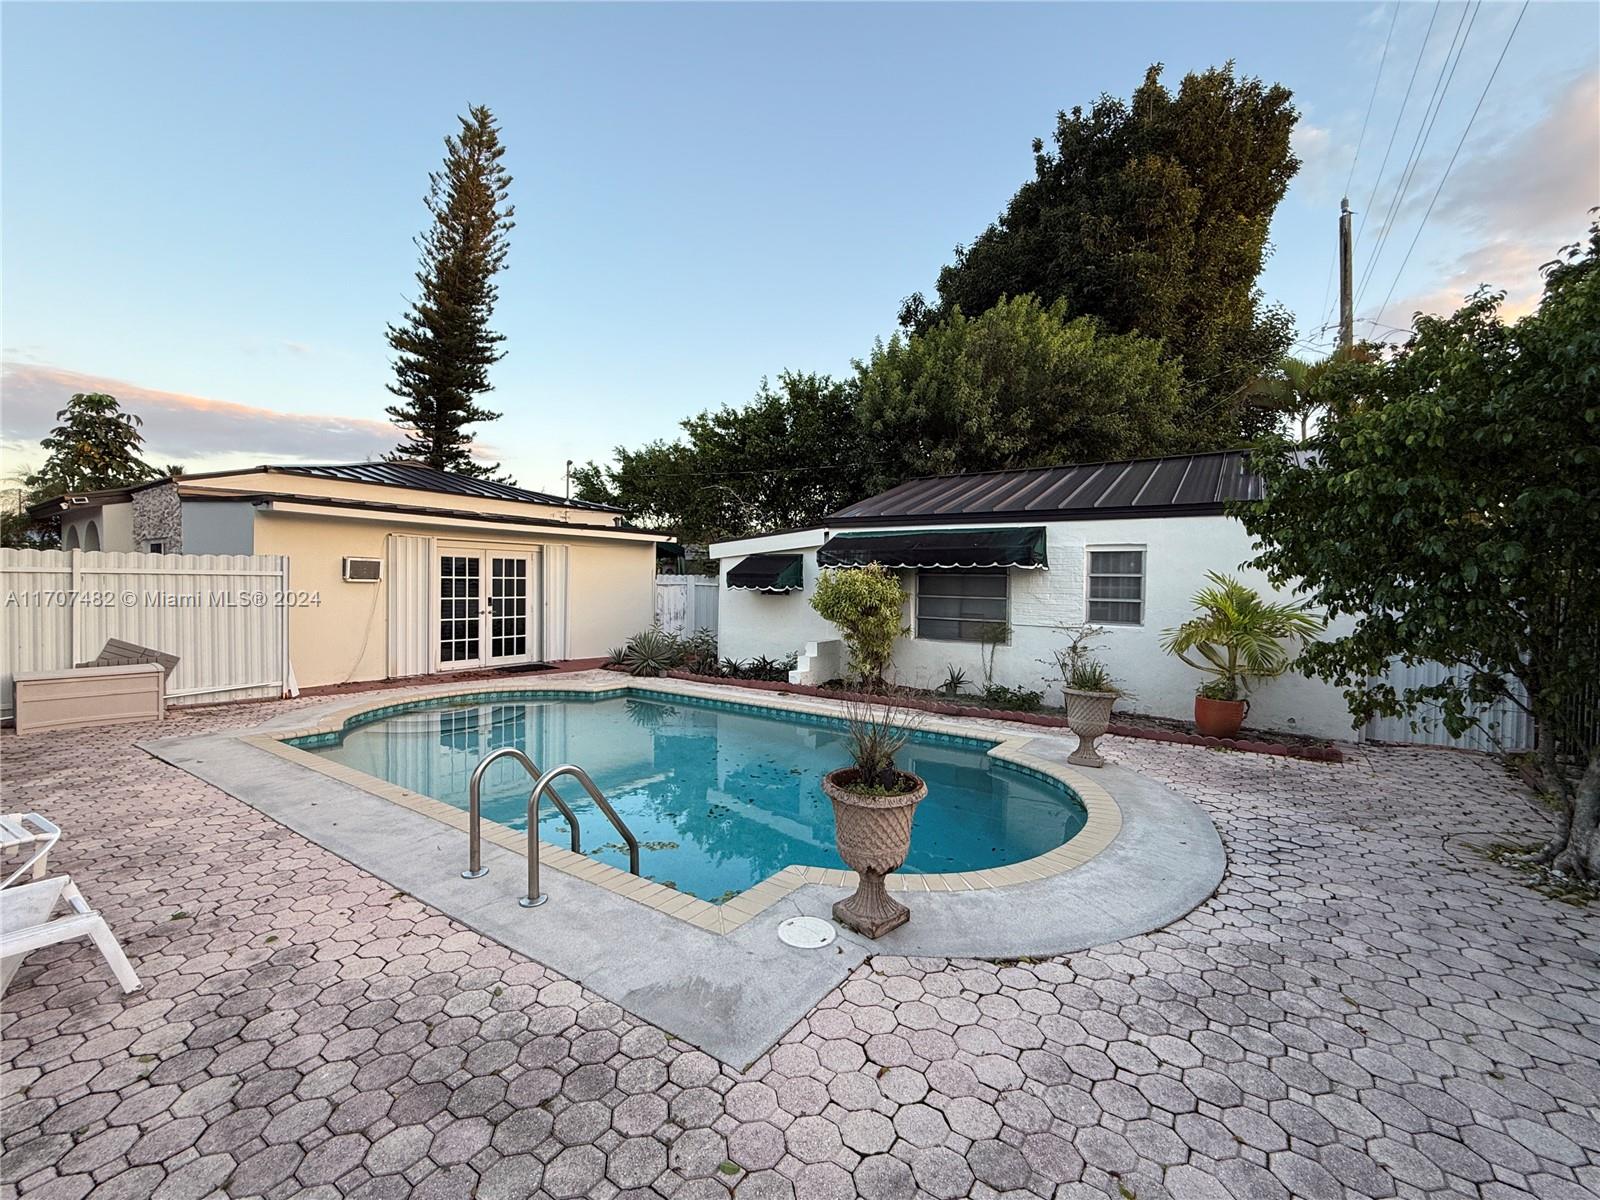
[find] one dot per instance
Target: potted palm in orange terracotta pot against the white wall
(1238, 639)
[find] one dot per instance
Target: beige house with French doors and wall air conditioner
(399, 570)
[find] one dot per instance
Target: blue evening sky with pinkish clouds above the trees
(209, 210)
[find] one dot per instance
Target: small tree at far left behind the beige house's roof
(94, 446)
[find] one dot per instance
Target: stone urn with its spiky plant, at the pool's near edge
(874, 804)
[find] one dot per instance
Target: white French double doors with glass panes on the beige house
(487, 612)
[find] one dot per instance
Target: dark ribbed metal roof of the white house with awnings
(1153, 487)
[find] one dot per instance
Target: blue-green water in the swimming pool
(721, 796)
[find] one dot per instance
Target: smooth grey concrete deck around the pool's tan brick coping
(738, 993)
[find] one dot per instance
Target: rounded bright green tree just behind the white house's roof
(1017, 386)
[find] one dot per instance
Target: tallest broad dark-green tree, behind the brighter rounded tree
(1153, 217)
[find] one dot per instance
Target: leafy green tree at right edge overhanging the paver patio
(1450, 505)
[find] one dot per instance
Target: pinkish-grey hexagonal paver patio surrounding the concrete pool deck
(1362, 1010)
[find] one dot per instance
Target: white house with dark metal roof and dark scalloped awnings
(1118, 545)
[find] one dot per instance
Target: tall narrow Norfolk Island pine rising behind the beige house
(444, 345)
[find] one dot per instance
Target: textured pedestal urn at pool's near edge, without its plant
(874, 838)
